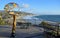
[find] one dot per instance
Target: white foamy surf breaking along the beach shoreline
(32, 20)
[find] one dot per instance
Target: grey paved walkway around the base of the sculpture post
(32, 32)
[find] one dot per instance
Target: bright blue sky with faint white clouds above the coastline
(41, 7)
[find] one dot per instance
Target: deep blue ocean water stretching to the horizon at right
(54, 18)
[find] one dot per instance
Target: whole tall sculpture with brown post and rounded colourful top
(10, 8)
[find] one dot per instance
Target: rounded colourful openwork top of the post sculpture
(11, 7)
